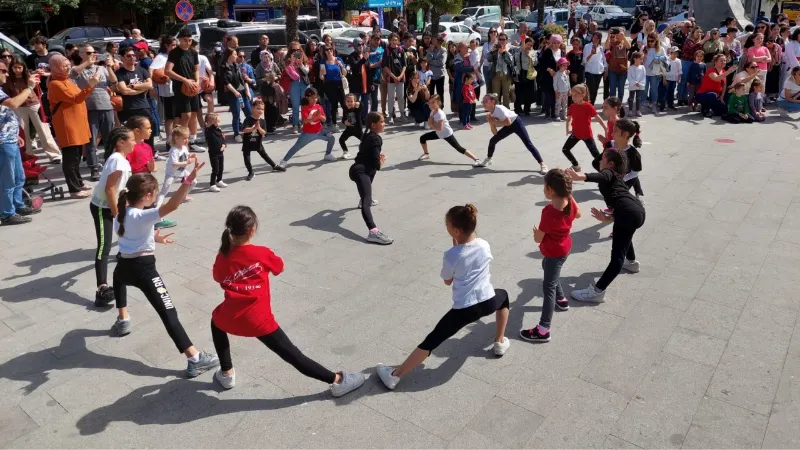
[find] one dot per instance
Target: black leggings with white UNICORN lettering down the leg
(141, 273)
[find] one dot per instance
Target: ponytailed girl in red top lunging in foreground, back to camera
(242, 270)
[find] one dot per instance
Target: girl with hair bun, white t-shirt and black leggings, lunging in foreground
(466, 267)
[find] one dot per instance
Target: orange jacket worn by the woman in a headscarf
(71, 120)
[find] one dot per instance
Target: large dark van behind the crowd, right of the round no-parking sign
(248, 37)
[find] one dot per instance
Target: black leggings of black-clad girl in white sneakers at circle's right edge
(626, 221)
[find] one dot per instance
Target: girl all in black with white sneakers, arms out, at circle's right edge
(628, 216)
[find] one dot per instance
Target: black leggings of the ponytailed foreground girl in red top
(278, 342)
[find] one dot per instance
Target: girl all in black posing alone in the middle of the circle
(368, 161)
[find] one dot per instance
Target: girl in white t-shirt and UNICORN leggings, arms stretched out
(136, 262)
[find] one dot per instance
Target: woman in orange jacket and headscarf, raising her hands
(70, 121)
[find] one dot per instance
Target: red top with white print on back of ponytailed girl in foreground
(244, 276)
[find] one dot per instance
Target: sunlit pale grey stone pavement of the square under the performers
(700, 350)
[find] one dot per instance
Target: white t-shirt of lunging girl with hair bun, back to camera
(468, 265)
